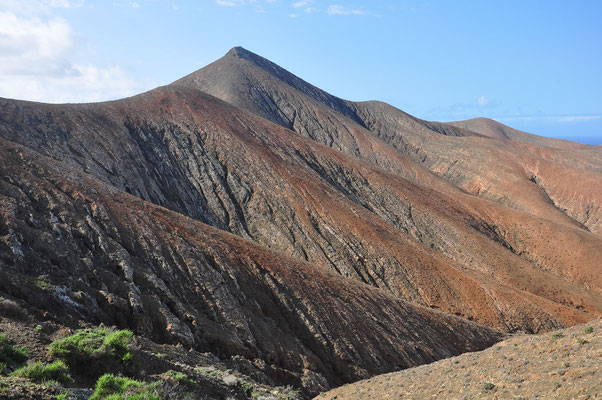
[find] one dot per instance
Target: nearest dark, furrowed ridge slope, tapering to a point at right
(109, 257)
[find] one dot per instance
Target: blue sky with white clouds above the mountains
(534, 65)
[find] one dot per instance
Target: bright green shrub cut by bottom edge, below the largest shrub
(111, 387)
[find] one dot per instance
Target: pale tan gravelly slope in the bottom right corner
(560, 365)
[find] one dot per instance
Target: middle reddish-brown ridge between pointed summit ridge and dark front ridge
(198, 156)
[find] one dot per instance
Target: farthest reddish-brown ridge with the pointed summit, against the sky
(458, 155)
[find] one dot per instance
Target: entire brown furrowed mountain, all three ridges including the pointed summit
(285, 225)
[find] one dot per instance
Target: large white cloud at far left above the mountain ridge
(35, 63)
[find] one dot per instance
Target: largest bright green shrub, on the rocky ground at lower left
(95, 351)
